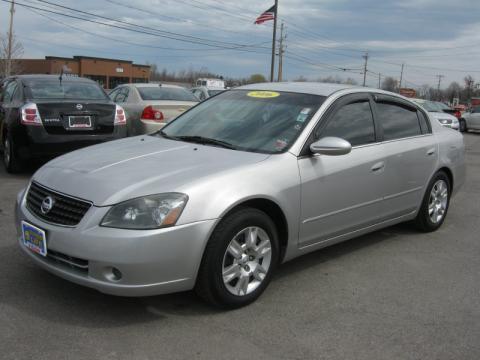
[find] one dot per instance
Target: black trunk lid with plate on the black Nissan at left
(61, 117)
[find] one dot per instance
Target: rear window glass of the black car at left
(75, 90)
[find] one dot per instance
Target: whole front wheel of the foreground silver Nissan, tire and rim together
(239, 259)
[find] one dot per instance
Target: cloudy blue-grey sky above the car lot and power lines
(323, 37)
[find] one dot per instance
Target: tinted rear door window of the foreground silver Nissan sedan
(398, 120)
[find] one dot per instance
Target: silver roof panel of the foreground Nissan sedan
(314, 88)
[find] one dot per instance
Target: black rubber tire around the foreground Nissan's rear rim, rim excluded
(423, 220)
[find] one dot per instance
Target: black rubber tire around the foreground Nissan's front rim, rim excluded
(210, 285)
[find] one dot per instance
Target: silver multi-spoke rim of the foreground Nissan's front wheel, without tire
(246, 261)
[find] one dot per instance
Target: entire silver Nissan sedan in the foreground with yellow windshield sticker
(244, 181)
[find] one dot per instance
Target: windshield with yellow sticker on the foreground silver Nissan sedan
(258, 121)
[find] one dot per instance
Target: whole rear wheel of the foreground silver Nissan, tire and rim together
(435, 203)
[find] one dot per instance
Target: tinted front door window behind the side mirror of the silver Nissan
(352, 122)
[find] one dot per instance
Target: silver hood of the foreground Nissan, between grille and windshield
(116, 171)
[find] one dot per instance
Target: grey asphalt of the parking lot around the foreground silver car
(393, 294)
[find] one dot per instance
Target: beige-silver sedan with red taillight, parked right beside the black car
(149, 107)
